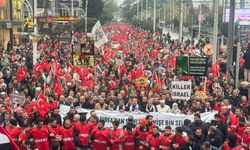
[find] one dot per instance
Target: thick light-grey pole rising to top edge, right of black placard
(215, 32)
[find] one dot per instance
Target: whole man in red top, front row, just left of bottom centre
(117, 136)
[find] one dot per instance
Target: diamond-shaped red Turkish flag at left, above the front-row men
(42, 105)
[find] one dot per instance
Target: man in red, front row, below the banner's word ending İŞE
(154, 140)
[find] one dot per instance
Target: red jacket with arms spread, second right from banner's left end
(84, 132)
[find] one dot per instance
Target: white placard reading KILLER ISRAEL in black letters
(181, 89)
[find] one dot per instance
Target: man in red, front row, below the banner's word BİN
(166, 139)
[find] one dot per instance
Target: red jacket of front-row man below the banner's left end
(68, 138)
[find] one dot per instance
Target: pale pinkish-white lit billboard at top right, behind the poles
(240, 15)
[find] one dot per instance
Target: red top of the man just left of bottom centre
(118, 137)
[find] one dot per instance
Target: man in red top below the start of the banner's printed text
(101, 136)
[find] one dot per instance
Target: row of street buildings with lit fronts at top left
(14, 15)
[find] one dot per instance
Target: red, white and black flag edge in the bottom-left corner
(5, 141)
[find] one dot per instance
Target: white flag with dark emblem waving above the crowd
(99, 35)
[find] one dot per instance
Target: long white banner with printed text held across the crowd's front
(161, 119)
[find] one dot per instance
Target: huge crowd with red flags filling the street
(32, 119)
